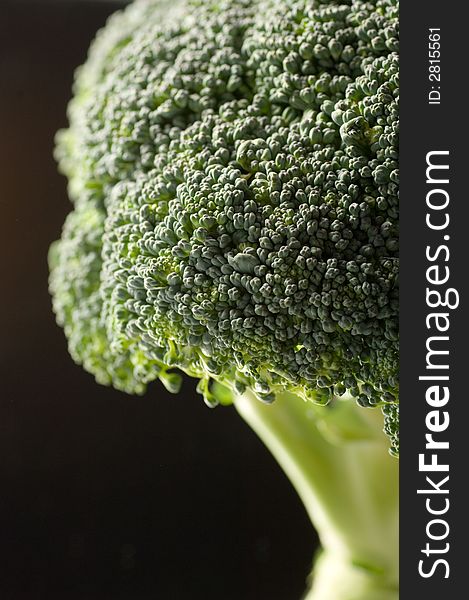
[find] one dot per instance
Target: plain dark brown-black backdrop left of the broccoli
(105, 496)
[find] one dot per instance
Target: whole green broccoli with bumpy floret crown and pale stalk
(234, 171)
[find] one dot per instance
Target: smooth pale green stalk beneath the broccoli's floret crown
(337, 459)
